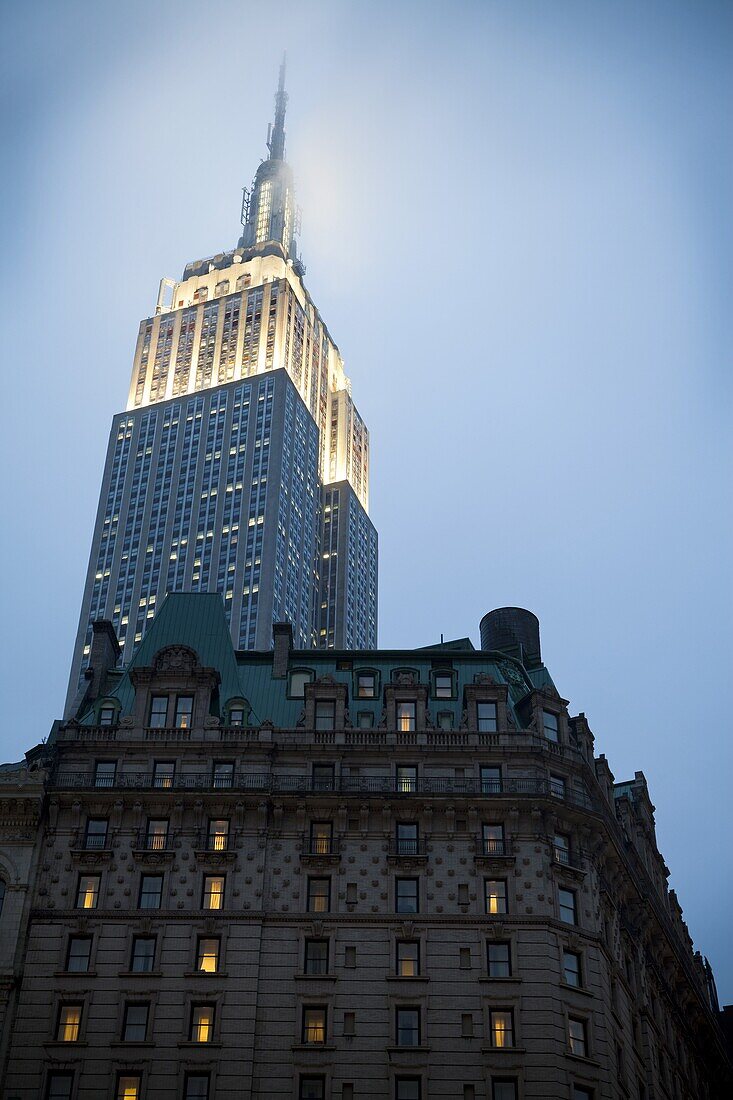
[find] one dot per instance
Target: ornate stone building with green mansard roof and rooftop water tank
(316, 874)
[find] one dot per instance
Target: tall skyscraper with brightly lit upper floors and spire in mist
(242, 464)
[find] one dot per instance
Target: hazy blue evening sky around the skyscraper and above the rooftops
(518, 226)
